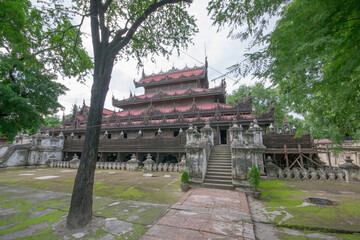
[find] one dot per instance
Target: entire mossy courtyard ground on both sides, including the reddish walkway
(34, 204)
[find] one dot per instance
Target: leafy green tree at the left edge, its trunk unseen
(36, 45)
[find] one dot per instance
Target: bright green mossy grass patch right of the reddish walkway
(282, 197)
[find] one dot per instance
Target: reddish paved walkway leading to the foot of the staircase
(205, 213)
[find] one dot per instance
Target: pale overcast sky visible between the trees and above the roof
(221, 52)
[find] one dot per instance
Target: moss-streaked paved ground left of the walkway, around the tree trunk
(123, 207)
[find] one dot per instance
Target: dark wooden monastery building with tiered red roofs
(155, 122)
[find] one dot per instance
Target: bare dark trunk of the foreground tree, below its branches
(80, 212)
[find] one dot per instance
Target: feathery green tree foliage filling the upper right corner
(312, 56)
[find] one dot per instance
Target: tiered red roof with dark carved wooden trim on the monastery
(177, 107)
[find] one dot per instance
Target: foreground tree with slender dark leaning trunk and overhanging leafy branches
(120, 29)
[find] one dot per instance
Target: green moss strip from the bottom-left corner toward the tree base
(50, 218)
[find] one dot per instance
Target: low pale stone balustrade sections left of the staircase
(155, 167)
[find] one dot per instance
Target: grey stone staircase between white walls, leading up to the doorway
(218, 173)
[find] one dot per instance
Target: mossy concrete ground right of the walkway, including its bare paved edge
(283, 212)
